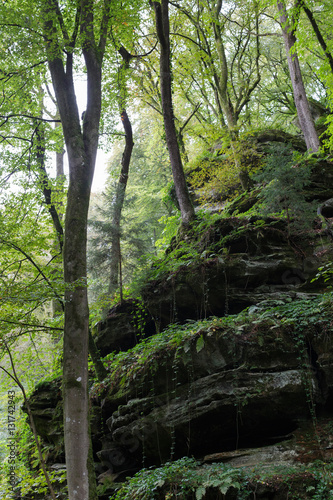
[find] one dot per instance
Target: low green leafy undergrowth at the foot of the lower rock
(188, 479)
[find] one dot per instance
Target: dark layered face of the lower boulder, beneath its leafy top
(221, 391)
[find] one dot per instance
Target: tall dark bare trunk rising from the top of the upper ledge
(161, 11)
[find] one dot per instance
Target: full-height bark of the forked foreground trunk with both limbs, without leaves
(81, 148)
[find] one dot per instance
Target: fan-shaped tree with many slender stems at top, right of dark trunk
(225, 44)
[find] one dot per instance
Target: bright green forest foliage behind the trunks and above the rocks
(230, 82)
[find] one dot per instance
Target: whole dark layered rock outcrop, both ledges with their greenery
(221, 385)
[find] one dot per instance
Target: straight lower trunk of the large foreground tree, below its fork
(76, 328)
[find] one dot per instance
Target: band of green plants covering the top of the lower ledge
(282, 321)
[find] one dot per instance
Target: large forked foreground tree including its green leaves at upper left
(66, 30)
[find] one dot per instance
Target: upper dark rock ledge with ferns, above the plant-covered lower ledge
(240, 262)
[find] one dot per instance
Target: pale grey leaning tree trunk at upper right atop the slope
(301, 101)
